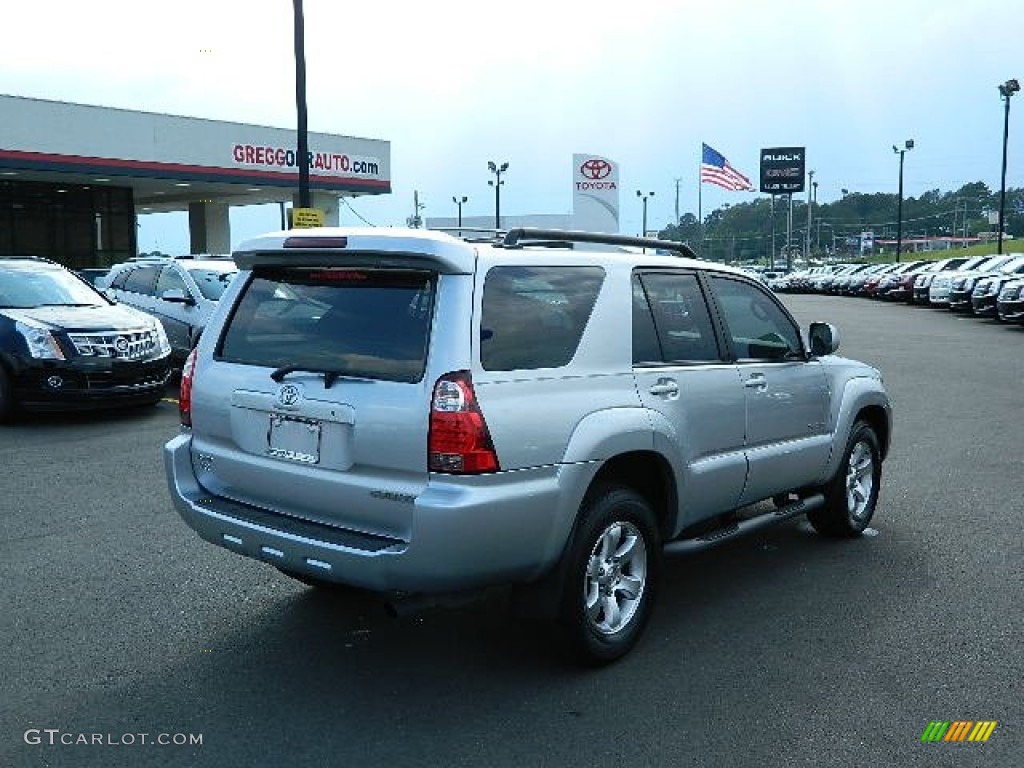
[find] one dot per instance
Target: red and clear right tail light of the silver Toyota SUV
(459, 442)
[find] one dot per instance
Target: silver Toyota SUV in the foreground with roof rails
(405, 412)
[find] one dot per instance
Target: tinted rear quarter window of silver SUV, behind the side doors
(535, 317)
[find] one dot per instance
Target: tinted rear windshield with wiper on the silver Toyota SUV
(361, 323)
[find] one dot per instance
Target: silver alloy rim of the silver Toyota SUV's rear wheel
(616, 577)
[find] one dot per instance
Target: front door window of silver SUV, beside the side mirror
(756, 324)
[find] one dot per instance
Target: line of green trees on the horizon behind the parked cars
(745, 232)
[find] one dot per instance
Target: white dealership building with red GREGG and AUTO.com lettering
(75, 178)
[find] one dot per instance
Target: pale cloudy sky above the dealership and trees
(454, 84)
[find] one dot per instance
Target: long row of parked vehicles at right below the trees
(986, 286)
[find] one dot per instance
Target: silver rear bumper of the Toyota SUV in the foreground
(475, 533)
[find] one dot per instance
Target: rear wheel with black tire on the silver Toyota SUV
(619, 584)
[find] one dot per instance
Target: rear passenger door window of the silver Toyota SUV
(680, 315)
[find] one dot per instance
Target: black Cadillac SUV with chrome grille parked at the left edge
(63, 345)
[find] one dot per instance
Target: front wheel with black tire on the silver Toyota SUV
(852, 495)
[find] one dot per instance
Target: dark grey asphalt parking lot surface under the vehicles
(780, 650)
